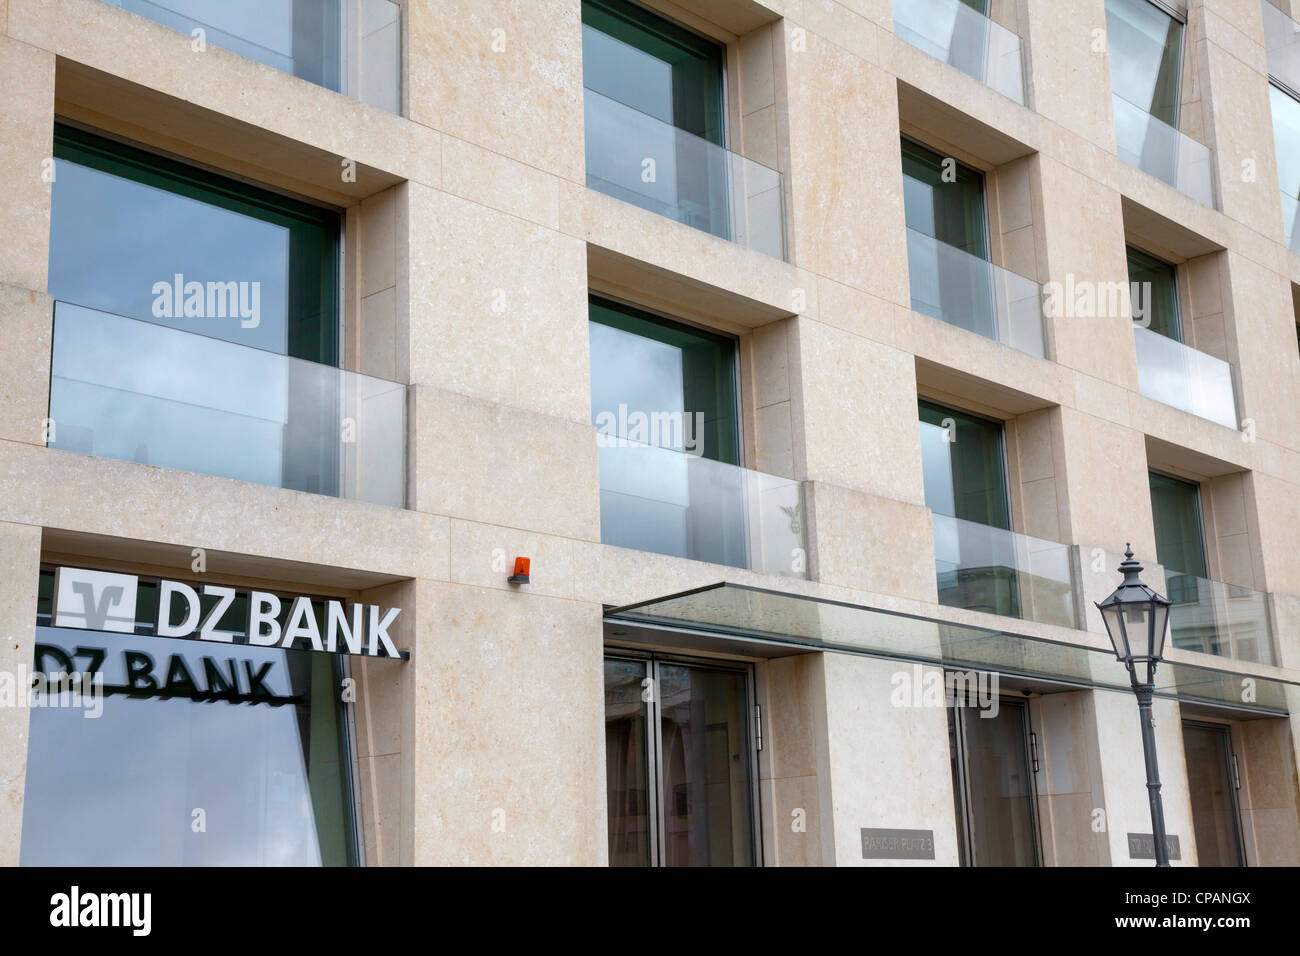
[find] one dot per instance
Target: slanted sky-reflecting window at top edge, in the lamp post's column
(1146, 46)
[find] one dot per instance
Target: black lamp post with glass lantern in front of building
(1137, 620)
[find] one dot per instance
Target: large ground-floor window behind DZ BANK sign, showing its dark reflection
(206, 754)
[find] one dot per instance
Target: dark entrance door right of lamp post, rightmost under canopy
(1212, 785)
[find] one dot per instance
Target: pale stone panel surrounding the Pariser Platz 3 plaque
(889, 764)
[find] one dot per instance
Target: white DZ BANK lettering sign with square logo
(107, 602)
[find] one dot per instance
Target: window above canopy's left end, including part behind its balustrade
(664, 403)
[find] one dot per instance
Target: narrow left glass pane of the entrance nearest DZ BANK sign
(626, 771)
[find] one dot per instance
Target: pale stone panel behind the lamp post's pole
(1125, 776)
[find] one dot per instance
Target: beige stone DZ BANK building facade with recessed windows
(647, 434)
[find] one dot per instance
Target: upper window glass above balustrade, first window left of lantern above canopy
(964, 468)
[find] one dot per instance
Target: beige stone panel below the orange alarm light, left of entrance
(510, 730)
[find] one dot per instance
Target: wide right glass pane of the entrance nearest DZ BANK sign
(705, 768)
